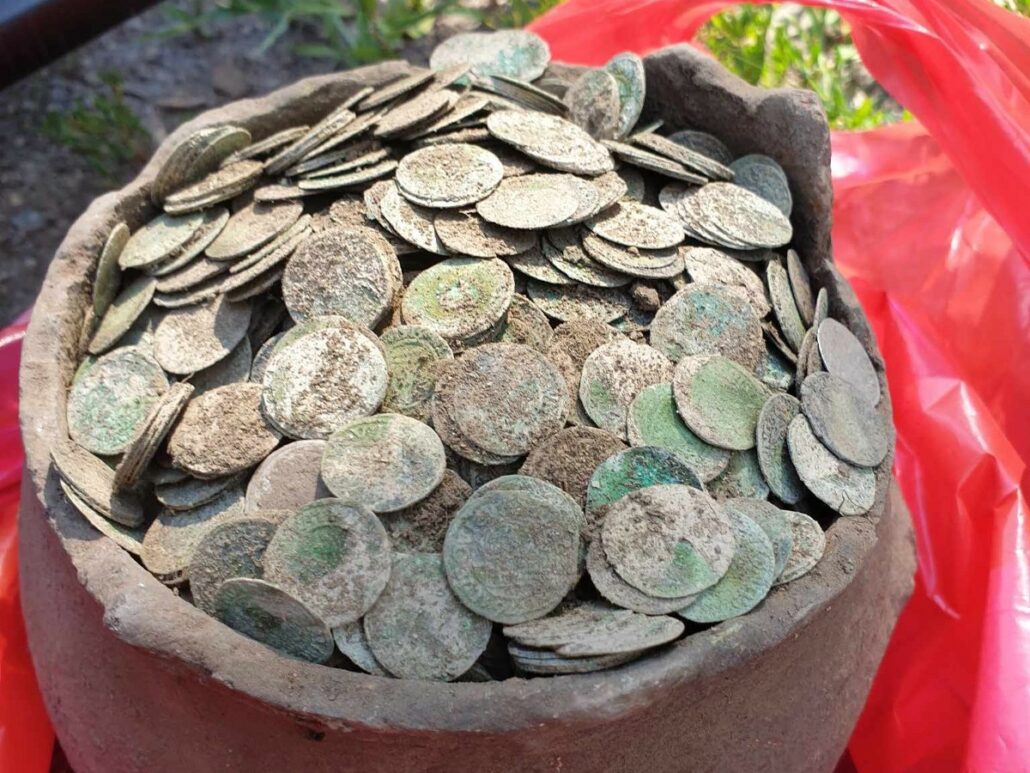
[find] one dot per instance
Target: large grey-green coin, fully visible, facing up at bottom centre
(511, 557)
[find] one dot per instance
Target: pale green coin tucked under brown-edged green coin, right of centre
(653, 420)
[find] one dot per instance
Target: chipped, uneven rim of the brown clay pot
(129, 595)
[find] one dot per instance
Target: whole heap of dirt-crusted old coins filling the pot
(475, 377)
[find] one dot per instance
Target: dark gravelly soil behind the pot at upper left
(44, 186)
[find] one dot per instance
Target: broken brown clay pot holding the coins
(138, 680)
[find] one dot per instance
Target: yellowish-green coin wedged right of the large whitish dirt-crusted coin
(414, 356)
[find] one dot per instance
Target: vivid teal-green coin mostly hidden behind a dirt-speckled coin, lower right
(635, 469)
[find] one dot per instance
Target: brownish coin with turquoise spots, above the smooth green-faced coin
(708, 320)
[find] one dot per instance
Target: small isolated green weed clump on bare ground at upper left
(105, 130)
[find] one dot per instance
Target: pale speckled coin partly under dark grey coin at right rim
(845, 488)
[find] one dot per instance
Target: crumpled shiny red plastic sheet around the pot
(932, 228)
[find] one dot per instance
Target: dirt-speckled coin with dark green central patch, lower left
(334, 557)
